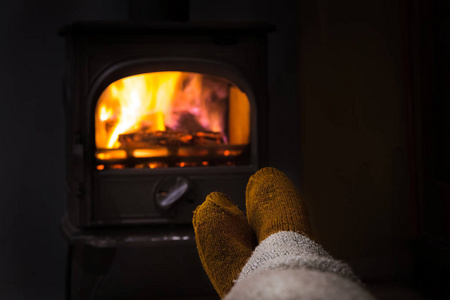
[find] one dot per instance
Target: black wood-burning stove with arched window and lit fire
(158, 116)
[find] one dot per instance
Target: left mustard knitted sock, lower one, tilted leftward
(224, 239)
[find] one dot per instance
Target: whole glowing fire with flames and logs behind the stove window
(162, 114)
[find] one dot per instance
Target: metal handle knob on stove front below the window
(165, 198)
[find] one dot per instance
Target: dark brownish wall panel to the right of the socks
(354, 157)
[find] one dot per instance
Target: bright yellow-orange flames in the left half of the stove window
(133, 103)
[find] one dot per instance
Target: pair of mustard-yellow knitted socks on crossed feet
(226, 238)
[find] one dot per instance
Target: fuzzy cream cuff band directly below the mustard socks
(290, 250)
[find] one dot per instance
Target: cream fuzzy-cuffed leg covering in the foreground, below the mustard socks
(288, 265)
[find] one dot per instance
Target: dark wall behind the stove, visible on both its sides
(339, 87)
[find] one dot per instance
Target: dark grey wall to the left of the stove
(32, 251)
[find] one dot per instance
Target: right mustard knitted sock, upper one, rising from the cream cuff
(274, 204)
